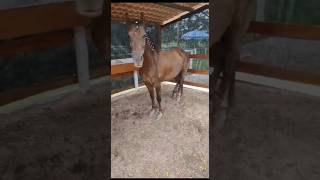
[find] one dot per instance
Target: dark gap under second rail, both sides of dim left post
(43, 65)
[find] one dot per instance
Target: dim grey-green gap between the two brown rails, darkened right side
(287, 53)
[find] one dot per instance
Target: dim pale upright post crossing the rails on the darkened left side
(82, 55)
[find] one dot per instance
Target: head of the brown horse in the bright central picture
(137, 34)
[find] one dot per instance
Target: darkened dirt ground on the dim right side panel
(271, 134)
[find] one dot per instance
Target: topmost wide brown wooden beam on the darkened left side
(25, 21)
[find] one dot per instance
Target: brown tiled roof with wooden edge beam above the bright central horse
(158, 13)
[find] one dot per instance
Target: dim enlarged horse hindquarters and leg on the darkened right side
(231, 19)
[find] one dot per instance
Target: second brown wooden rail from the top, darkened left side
(30, 43)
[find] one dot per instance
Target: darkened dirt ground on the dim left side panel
(65, 139)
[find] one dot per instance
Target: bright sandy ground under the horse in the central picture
(177, 145)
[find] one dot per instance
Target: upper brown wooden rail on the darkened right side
(285, 30)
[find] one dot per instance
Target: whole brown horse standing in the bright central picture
(157, 66)
